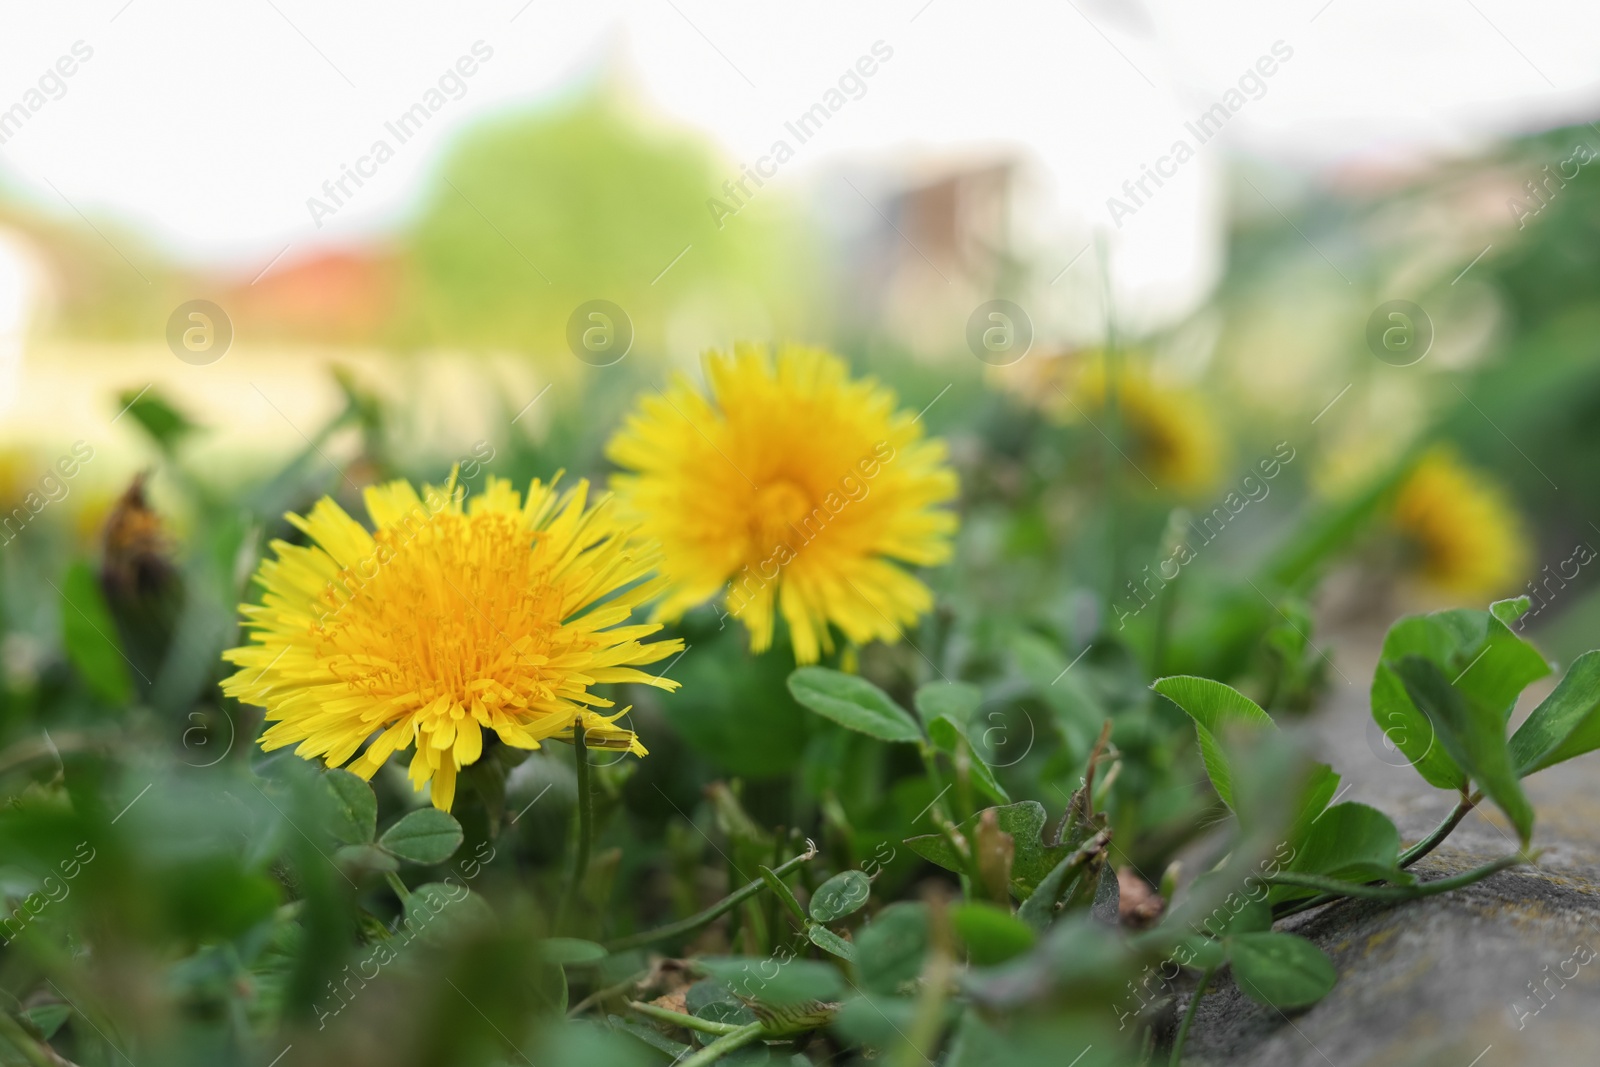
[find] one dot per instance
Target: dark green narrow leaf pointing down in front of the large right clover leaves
(1473, 733)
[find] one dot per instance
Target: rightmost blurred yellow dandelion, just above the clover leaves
(1468, 537)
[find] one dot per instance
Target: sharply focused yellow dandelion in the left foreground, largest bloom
(447, 620)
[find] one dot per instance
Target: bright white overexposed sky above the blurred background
(209, 126)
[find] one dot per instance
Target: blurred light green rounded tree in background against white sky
(538, 214)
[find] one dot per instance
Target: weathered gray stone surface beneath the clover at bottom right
(1446, 981)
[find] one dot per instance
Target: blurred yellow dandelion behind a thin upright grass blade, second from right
(1174, 436)
